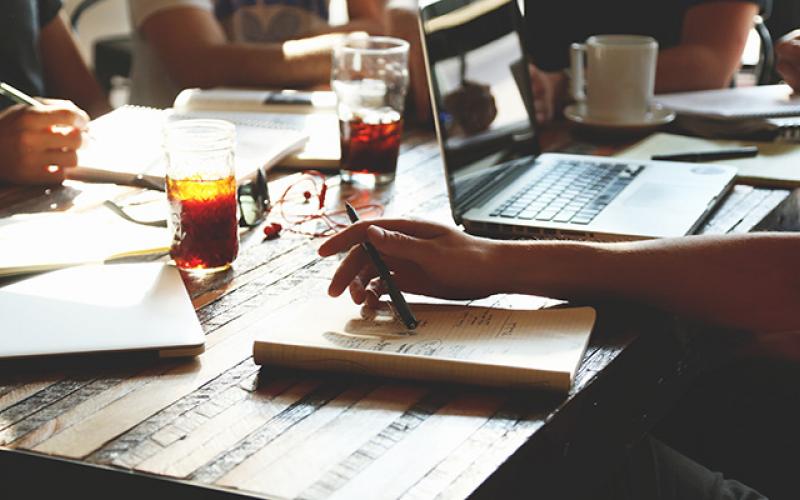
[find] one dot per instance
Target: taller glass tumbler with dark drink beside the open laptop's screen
(370, 79)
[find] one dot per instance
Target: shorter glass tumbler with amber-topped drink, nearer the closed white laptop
(201, 190)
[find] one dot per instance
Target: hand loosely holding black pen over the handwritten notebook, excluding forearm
(425, 258)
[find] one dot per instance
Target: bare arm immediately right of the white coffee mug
(710, 50)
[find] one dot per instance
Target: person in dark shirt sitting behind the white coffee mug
(700, 41)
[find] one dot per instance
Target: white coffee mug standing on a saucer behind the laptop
(620, 74)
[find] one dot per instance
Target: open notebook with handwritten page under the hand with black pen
(474, 345)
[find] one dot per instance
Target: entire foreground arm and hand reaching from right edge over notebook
(748, 281)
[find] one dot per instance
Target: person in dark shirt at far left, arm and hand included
(38, 56)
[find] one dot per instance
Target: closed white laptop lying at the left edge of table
(99, 308)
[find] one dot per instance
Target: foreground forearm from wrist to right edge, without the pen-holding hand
(749, 281)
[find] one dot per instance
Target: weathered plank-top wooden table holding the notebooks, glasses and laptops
(217, 426)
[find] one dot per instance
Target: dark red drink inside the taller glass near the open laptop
(370, 145)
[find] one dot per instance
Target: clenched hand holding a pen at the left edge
(38, 143)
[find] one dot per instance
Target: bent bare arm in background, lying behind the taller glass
(199, 54)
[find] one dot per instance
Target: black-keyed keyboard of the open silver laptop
(573, 191)
